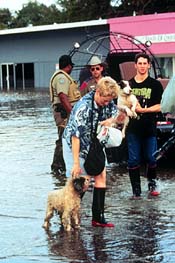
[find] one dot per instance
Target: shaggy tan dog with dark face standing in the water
(66, 202)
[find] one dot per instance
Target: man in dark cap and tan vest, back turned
(64, 94)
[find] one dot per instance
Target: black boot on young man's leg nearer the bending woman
(134, 175)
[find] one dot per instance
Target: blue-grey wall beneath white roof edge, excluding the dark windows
(43, 49)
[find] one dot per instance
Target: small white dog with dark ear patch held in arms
(126, 102)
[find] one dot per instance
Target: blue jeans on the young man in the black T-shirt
(137, 146)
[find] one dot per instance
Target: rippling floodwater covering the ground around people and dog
(144, 229)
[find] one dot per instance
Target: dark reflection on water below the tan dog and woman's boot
(75, 248)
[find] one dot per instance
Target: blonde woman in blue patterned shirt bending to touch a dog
(76, 139)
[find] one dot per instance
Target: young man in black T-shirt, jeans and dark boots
(141, 132)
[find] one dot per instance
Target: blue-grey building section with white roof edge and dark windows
(28, 56)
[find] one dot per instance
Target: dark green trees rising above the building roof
(35, 13)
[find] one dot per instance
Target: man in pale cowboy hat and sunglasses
(96, 68)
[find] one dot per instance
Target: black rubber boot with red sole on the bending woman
(98, 219)
